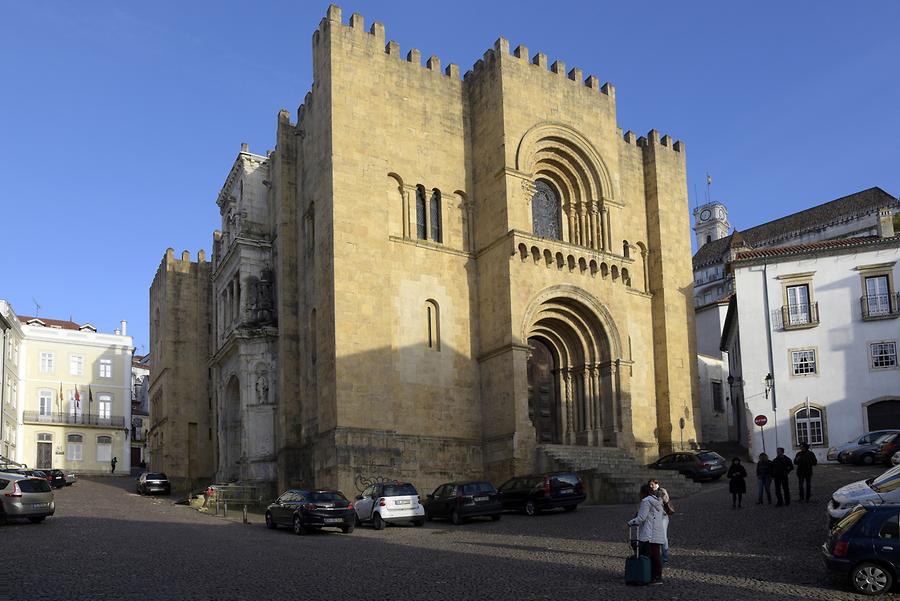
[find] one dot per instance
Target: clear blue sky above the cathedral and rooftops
(120, 120)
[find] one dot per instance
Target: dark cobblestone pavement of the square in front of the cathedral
(105, 542)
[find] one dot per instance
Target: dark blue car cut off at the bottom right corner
(864, 548)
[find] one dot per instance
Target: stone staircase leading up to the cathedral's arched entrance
(610, 474)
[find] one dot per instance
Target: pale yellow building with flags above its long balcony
(75, 397)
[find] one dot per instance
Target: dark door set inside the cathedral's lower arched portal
(543, 386)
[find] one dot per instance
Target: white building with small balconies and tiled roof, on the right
(812, 340)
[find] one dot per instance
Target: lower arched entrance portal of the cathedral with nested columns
(575, 388)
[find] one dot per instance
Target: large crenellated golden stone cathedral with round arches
(435, 277)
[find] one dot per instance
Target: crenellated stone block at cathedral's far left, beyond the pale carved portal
(181, 433)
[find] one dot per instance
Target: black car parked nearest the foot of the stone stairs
(535, 493)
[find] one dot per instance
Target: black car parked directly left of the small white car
(311, 509)
